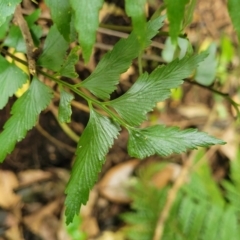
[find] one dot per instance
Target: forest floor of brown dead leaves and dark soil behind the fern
(34, 176)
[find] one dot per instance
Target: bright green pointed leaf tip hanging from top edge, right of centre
(175, 13)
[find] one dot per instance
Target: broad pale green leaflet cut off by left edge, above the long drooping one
(11, 78)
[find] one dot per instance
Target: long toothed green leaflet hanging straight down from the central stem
(94, 143)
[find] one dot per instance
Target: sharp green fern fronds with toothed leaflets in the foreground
(74, 23)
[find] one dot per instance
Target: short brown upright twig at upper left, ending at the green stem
(31, 49)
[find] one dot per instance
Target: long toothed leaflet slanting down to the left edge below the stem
(24, 112)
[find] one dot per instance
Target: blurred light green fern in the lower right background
(202, 209)
